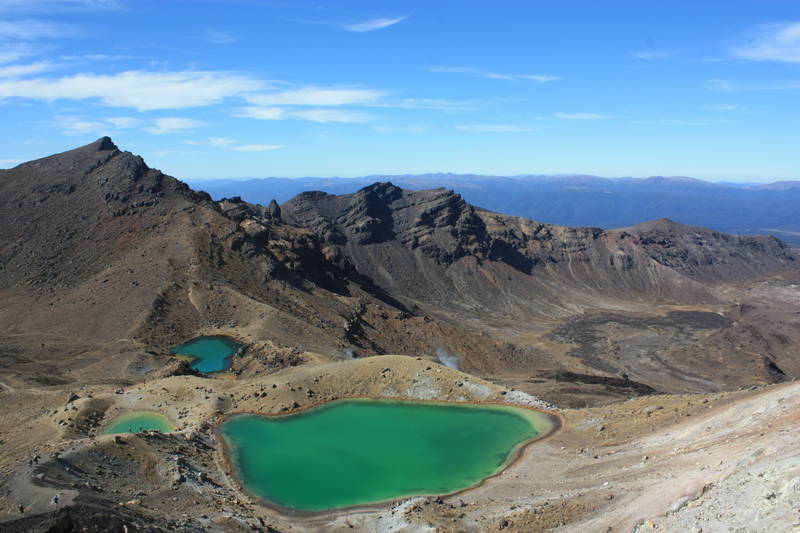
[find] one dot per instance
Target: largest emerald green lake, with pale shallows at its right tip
(353, 452)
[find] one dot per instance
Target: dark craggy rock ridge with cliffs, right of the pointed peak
(433, 247)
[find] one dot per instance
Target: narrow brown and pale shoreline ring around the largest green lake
(552, 418)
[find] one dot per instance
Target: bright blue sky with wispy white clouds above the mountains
(235, 88)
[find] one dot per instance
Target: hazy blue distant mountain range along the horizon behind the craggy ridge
(574, 200)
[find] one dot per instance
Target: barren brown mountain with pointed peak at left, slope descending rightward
(106, 263)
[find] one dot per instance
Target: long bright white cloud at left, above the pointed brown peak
(144, 91)
